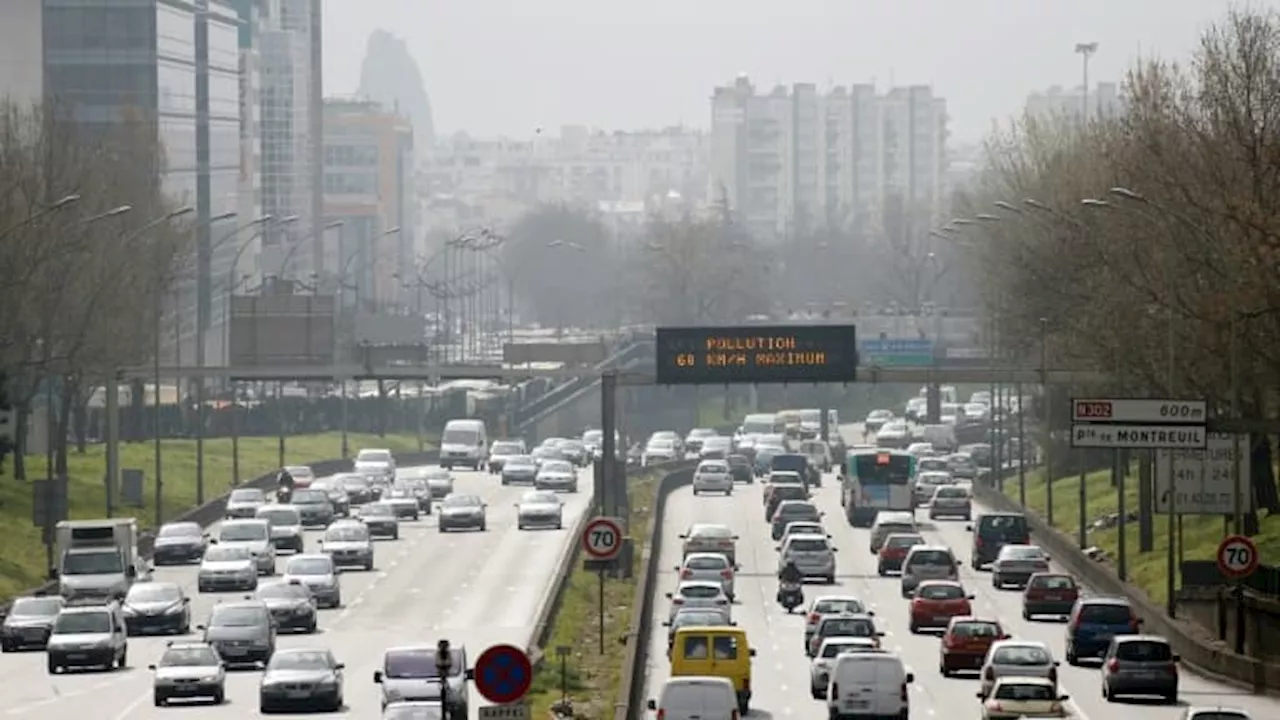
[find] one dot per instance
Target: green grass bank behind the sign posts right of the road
(1201, 535)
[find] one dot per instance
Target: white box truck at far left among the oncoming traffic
(97, 559)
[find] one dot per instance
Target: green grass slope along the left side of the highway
(22, 563)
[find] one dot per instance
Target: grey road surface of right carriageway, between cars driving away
(781, 671)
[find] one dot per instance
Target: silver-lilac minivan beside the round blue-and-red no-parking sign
(412, 673)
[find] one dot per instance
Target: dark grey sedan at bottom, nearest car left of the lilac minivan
(301, 678)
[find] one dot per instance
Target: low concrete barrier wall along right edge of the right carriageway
(1194, 644)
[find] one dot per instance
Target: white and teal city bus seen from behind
(875, 481)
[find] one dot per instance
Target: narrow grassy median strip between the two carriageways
(593, 680)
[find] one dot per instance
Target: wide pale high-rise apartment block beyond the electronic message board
(797, 160)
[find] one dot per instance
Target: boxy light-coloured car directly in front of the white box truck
(88, 636)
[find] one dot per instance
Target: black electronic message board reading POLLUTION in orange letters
(757, 354)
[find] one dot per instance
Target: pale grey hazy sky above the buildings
(513, 66)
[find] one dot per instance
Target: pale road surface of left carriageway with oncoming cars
(470, 587)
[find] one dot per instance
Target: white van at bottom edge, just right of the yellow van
(870, 685)
